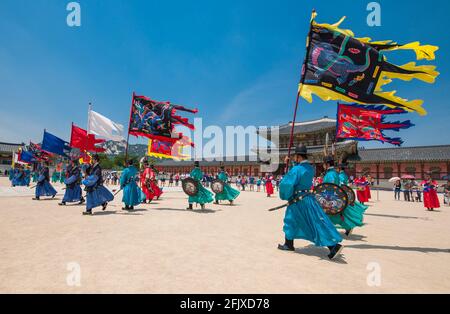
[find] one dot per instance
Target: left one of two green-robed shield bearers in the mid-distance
(194, 188)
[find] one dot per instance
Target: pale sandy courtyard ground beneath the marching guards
(161, 248)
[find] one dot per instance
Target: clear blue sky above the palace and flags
(238, 61)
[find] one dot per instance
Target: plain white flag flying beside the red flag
(105, 128)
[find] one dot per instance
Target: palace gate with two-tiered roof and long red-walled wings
(319, 136)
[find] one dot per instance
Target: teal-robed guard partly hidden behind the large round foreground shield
(352, 216)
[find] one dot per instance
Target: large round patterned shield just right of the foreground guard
(331, 198)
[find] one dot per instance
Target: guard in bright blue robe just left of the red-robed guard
(132, 194)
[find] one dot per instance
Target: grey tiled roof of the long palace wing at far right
(412, 154)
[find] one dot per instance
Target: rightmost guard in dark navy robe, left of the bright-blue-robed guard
(97, 194)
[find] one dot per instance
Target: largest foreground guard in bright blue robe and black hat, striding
(305, 218)
